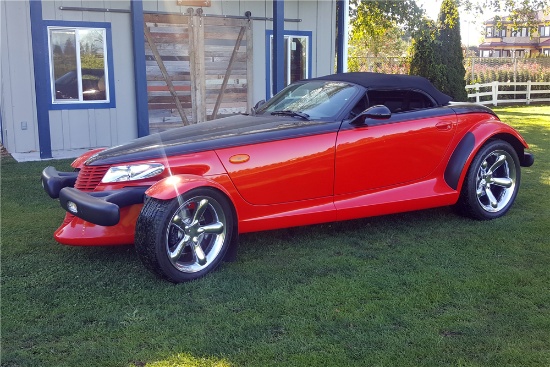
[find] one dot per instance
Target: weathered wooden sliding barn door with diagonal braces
(198, 68)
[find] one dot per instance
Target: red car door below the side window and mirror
(381, 153)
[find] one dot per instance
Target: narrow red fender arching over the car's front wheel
(173, 186)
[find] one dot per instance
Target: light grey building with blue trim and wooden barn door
(85, 74)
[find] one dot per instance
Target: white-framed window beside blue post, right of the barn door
(296, 57)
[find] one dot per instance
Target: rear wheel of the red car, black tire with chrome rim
(492, 182)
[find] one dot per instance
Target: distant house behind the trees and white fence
(506, 42)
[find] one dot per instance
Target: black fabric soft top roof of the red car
(391, 81)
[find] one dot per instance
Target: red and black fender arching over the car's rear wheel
(472, 142)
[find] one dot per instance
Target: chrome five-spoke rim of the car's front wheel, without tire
(195, 234)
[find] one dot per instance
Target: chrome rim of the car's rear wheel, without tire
(496, 181)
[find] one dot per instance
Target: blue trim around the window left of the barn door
(110, 66)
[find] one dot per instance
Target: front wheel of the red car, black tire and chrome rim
(187, 237)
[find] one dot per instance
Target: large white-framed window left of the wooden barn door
(78, 65)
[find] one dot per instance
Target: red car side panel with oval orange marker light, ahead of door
(283, 171)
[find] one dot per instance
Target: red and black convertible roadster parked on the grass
(327, 149)
